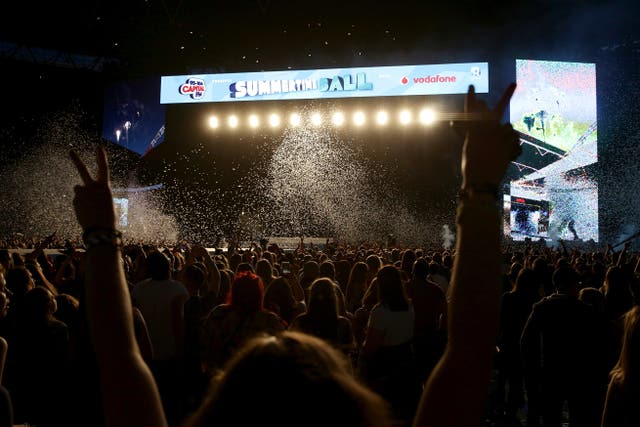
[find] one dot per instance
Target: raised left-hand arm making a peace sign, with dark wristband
(129, 393)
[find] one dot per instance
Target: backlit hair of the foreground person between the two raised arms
(289, 380)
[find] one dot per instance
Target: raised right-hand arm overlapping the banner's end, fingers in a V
(456, 391)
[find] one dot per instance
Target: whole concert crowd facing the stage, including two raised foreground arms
(143, 335)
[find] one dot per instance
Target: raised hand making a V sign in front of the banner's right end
(489, 146)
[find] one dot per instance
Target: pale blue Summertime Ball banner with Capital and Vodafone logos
(403, 80)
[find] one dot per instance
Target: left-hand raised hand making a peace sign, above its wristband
(93, 202)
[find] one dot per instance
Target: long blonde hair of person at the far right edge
(627, 369)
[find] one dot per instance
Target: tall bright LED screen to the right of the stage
(555, 193)
